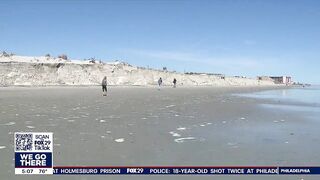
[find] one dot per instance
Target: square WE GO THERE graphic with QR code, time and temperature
(33, 152)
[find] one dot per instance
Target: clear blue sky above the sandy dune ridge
(233, 37)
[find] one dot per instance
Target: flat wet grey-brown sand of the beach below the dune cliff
(145, 126)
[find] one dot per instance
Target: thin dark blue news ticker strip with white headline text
(188, 170)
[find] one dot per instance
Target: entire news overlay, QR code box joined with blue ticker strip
(34, 155)
